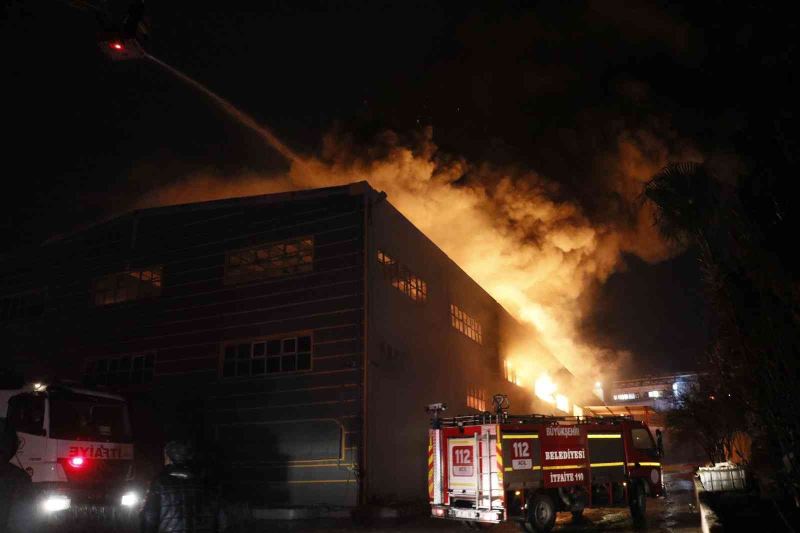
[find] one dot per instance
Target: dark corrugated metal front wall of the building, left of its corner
(285, 437)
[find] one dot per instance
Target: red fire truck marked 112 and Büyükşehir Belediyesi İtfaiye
(490, 468)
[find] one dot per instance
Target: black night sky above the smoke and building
(545, 85)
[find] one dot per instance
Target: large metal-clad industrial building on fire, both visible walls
(298, 335)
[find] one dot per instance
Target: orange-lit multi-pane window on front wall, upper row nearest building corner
(271, 260)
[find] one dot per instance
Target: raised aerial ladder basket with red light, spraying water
(121, 37)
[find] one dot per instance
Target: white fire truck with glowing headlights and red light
(75, 444)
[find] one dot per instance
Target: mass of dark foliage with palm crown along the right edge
(753, 292)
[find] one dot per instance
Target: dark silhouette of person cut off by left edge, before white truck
(16, 488)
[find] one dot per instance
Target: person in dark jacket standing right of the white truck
(183, 498)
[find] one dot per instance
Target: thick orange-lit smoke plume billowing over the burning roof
(538, 255)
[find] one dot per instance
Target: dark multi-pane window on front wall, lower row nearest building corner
(267, 356)
